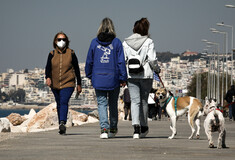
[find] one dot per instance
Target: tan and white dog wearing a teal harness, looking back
(176, 107)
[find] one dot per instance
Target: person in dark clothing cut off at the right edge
(230, 98)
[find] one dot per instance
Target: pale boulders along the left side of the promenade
(46, 119)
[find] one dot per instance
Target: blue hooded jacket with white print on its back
(105, 64)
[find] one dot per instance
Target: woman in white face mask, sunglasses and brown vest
(62, 72)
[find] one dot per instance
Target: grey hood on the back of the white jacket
(135, 41)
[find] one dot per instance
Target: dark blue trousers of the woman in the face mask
(62, 97)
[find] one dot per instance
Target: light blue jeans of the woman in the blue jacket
(105, 98)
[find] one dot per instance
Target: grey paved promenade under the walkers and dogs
(83, 143)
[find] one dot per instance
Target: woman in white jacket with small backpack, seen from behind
(139, 49)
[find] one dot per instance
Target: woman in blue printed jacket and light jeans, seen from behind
(105, 66)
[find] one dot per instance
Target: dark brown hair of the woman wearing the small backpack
(142, 27)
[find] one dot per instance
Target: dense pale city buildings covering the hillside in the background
(175, 74)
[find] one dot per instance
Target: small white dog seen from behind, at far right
(214, 122)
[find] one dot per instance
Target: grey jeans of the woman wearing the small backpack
(139, 91)
